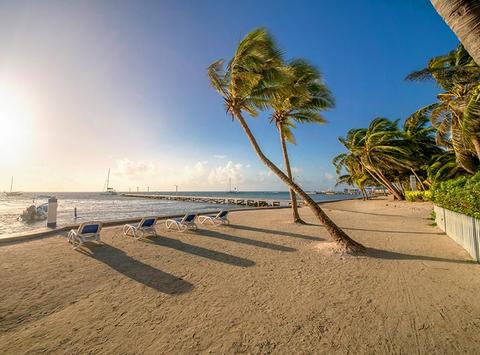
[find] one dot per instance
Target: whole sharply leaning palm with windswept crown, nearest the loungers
(246, 84)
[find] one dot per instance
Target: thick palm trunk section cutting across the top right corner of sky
(463, 17)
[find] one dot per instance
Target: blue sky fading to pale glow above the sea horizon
(90, 85)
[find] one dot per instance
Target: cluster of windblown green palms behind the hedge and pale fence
(438, 142)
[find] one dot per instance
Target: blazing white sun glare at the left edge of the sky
(15, 124)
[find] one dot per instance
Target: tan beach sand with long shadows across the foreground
(261, 285)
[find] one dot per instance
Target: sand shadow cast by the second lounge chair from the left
(199, 251)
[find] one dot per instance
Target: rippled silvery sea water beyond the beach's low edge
(94, 206)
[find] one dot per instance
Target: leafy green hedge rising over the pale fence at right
(461, 195)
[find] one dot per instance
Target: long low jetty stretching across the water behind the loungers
(251, 202)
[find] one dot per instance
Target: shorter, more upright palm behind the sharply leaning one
(302, 97)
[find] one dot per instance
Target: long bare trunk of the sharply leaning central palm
(338, 235)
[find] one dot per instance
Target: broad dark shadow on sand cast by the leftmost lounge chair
(119, 261)
